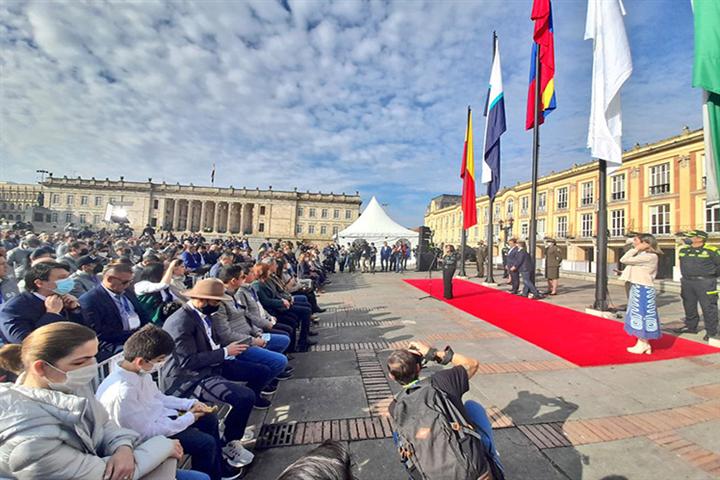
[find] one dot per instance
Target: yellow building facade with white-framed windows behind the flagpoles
(659, 189)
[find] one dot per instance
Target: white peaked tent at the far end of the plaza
(375, 226)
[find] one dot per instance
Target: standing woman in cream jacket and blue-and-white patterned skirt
(641, 317)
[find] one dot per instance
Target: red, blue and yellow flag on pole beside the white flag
(544, 42)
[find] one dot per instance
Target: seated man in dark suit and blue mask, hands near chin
(46, 301)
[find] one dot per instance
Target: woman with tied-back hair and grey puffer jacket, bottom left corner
(51, 425)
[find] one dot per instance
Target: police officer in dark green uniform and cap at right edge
(699, 266)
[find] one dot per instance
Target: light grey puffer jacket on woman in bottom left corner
(46, 434)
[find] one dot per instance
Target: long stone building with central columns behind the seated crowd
(188, 208)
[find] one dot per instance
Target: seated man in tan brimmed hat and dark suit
(199, 366)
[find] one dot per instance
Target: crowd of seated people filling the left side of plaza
(187, 323)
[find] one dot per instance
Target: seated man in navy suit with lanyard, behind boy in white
(113, 309)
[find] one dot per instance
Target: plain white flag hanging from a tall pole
(612, 66)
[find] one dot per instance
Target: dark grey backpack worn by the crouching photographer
(435, 441)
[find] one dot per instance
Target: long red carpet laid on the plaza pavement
(582, 339)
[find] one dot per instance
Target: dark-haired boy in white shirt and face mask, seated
(134, 401)
